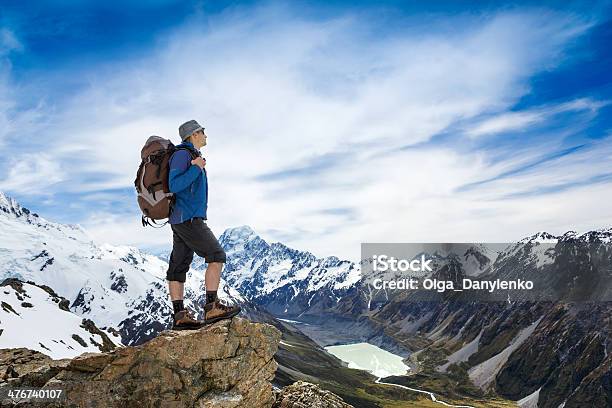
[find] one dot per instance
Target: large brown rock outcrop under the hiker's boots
(227, 364)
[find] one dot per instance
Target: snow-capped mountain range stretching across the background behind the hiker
(549, 353)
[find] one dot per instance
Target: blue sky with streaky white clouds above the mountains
(329, 123)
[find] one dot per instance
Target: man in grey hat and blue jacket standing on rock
(188, 181)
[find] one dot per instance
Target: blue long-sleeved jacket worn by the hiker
(189, 185)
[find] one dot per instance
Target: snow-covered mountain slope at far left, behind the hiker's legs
(115, 286)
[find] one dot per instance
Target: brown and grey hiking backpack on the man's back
(154, 197)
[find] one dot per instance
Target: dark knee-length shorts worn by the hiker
(189, 237)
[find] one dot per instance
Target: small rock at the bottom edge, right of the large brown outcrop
(302, 394)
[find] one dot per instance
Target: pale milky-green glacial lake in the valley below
(365, 356)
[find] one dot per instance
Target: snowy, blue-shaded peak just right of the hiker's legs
(283, 280)
